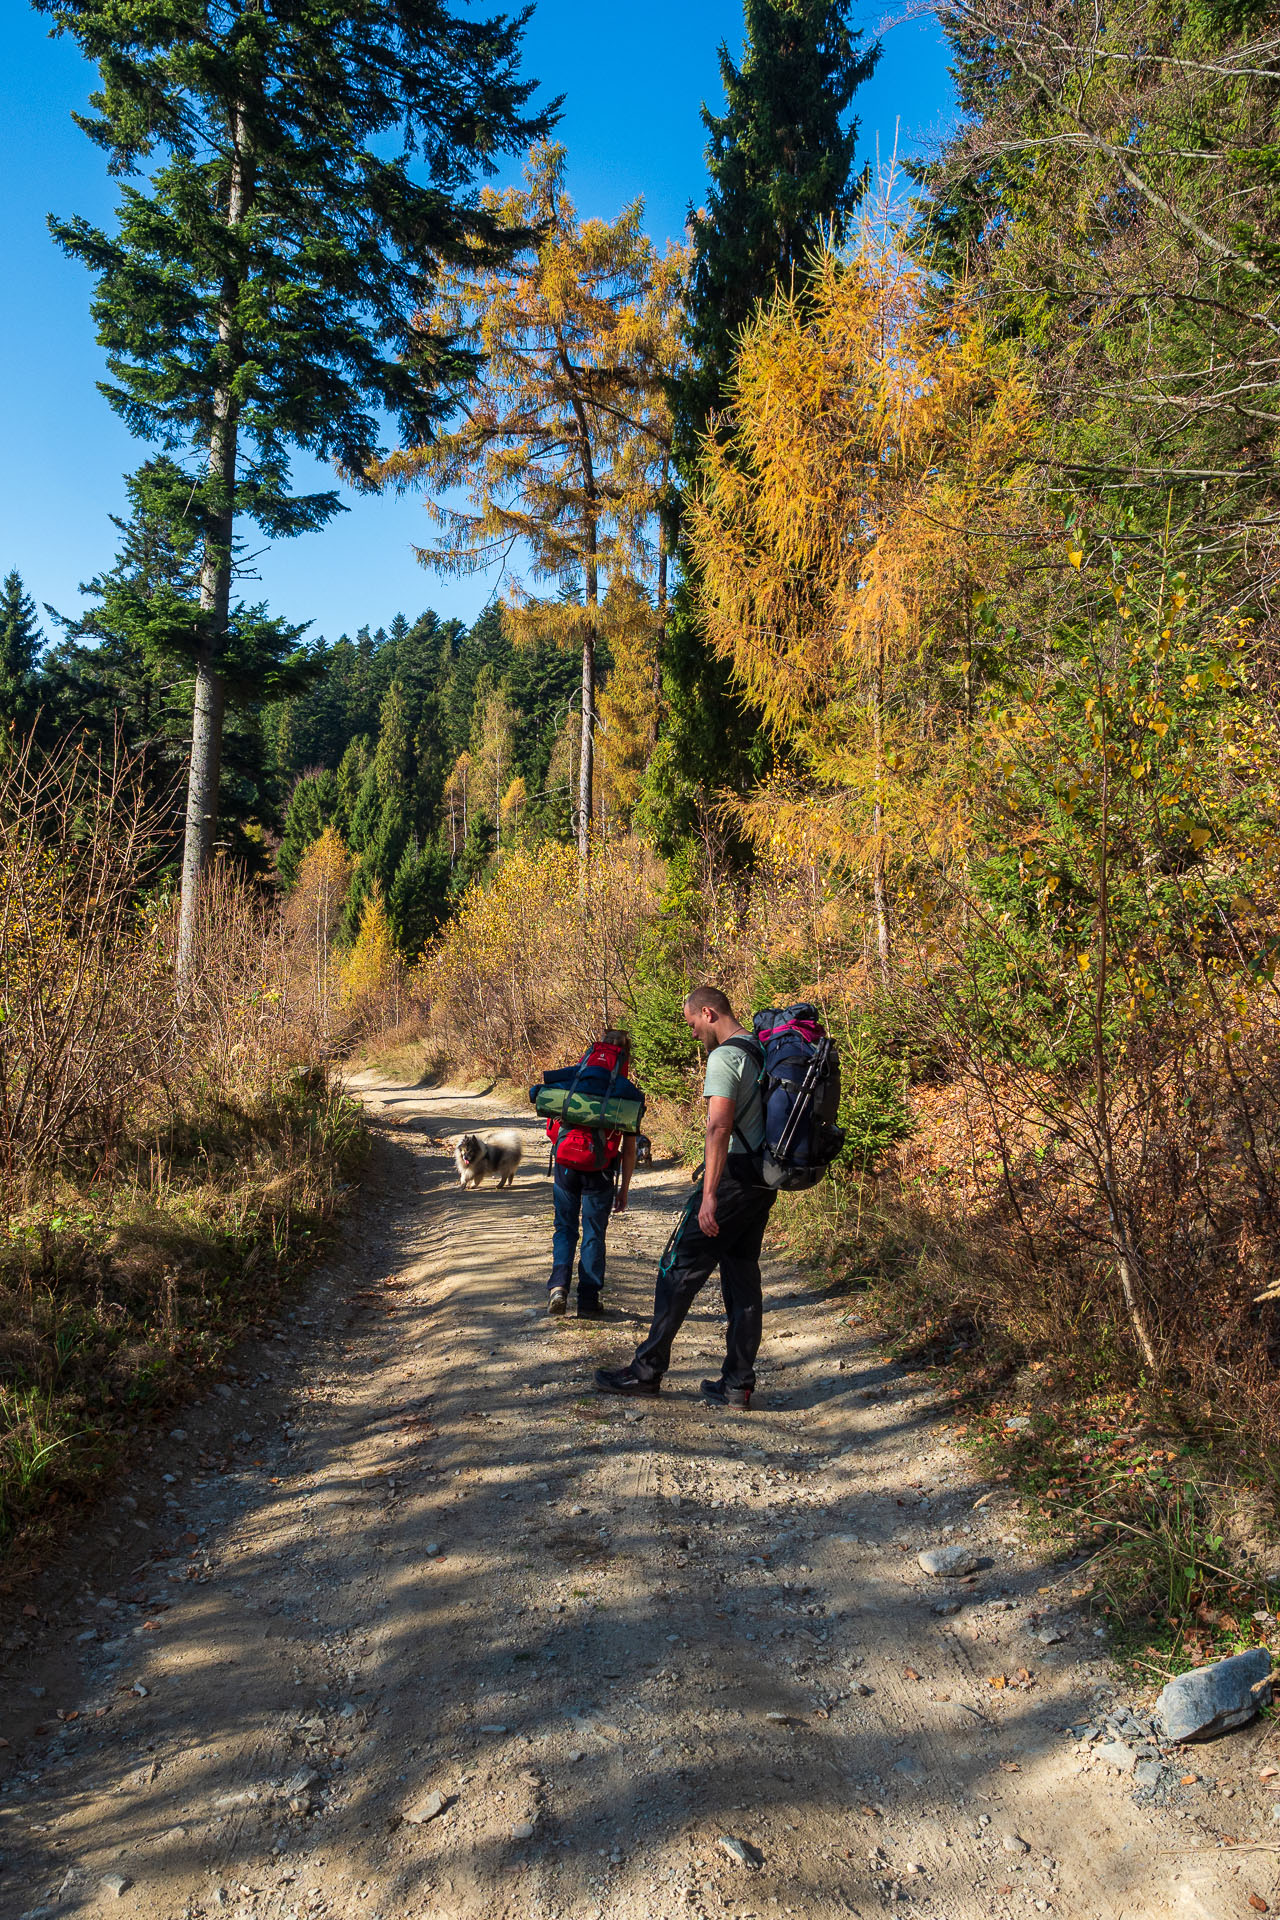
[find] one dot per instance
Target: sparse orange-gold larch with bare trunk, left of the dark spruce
(559, 441)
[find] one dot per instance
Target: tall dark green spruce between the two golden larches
(782, 178)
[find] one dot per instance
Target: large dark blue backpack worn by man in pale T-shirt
(799, 1092)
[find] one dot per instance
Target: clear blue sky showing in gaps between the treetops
(634, 80)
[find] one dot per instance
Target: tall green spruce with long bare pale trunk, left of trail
(300, 174)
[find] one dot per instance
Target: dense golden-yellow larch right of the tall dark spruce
(870, 468)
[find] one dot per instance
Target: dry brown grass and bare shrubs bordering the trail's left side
(168, 1163)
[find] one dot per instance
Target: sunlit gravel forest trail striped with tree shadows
(410, 1552)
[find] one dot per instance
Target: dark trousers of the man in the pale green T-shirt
(692, 1259)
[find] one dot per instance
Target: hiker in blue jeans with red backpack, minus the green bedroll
(592, 1180)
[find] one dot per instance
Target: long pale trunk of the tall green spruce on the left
(206, 765)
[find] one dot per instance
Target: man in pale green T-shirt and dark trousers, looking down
(724, 1220)
